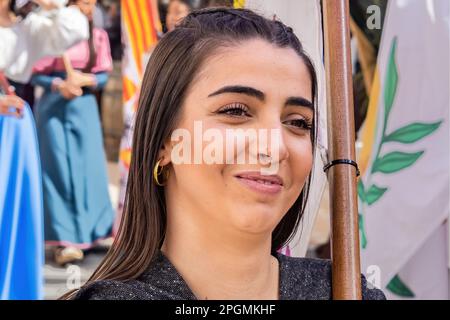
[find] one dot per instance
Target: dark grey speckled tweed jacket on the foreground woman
(300, 279)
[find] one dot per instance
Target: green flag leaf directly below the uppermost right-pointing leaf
(395, 161)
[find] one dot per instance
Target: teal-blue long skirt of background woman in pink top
(77, 207)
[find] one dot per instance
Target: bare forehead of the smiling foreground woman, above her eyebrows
(259, 64)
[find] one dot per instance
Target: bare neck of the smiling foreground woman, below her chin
(217, 265)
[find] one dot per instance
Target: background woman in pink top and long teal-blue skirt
(77, 207)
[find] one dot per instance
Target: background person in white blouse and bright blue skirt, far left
(25, 39)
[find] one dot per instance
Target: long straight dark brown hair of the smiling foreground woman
(172, 67)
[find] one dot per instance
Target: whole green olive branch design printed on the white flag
(394, 161)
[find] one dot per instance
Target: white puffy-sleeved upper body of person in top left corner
(40, 34)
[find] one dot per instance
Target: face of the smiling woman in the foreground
(252, 88)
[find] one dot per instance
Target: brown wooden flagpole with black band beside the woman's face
(346, 274)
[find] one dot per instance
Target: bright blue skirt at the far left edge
(21, 218)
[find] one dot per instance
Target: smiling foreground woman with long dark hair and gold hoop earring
(201, 229)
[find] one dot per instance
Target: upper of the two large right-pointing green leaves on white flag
(412, 132)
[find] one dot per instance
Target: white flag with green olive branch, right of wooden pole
(404, 187)
